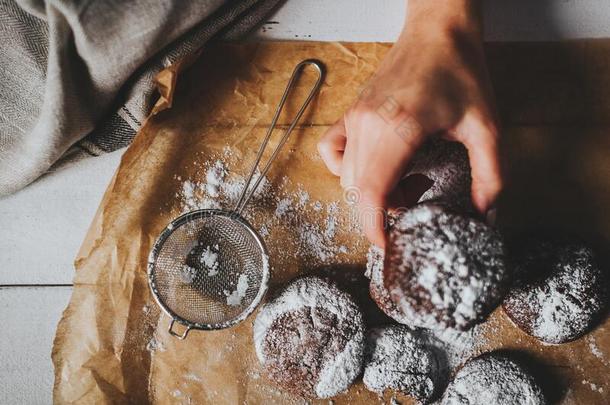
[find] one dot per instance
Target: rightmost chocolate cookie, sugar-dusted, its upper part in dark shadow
(560, 290)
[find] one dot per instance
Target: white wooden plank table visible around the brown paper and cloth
(42, 226)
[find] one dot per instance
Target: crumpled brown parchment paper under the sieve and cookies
(552, 98)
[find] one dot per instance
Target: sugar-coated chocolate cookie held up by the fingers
(443, 269)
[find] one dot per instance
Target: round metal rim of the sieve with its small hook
(158, 245)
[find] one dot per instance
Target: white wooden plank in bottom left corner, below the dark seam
(28, 316)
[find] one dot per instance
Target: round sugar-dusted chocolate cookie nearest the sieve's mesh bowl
(310, 338)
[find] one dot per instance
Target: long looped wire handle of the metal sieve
(247, 194)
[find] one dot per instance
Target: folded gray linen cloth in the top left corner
(76, 76)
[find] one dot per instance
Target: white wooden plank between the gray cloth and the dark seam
(43, 225)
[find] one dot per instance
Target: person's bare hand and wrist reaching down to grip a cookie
(433, 81)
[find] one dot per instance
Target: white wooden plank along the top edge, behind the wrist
(371, 21)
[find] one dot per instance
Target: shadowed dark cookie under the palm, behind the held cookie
(446, 164)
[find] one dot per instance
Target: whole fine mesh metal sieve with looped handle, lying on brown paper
(209, 268)
